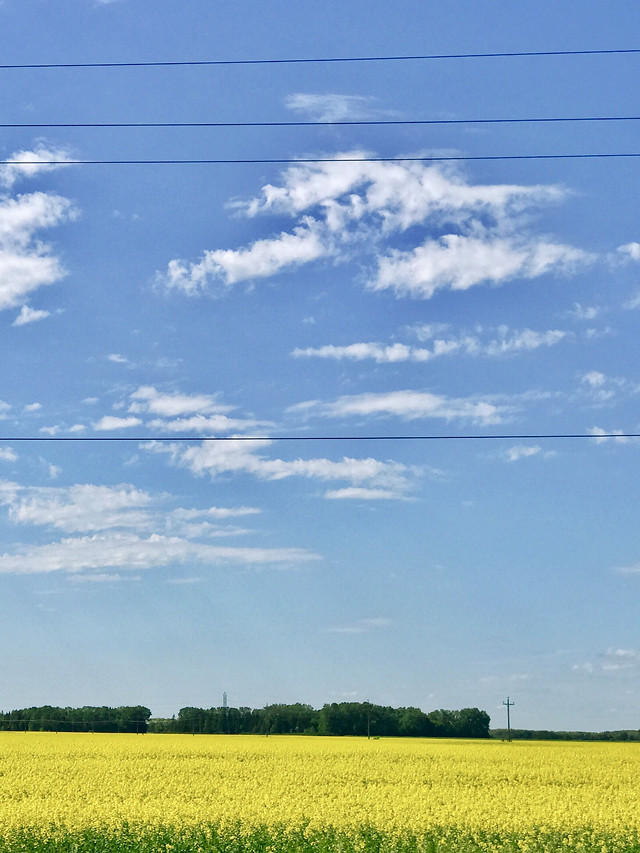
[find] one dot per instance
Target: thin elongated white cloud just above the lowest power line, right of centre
(409, 405)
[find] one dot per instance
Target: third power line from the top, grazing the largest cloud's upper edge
(293, 160)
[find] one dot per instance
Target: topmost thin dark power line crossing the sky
(319, 60)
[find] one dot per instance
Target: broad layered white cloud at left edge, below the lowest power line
(123, 527)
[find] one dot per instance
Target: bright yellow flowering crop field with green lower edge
(175, 793)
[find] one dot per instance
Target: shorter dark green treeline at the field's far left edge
(133, 718)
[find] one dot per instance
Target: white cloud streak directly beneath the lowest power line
(245, 457)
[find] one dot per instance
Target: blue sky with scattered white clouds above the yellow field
(336, 302)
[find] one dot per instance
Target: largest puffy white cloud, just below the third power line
(345, 210)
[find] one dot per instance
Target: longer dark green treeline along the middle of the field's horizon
(344, 718)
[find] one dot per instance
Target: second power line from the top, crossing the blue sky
(338, 123)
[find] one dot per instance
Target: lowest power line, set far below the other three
(438, 437)
